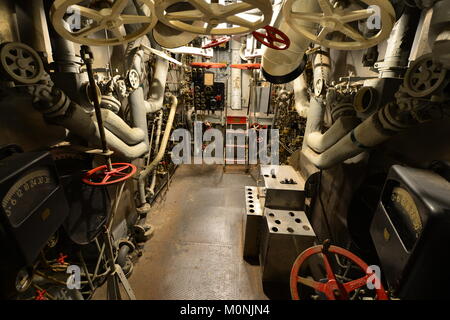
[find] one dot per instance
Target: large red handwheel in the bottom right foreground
(333, 288)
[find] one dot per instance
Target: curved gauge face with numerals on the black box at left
(26, 194)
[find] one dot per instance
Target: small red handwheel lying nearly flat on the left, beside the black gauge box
(100, 176)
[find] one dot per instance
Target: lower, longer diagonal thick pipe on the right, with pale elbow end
(375, 130)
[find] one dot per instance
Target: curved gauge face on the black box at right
(405, 216)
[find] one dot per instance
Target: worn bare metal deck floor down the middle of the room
(196, 249)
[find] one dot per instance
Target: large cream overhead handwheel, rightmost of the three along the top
(332, 21)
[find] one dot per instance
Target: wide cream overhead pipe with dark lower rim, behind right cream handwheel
(282, 66)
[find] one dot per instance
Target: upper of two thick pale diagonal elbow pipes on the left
(120, 128)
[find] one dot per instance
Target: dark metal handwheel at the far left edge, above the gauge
(20, 63)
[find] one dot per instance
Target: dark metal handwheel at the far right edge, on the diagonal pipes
(424, 77)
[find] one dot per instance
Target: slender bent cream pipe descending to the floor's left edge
(162, 149)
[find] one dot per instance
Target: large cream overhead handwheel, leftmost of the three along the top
(101, 26)
